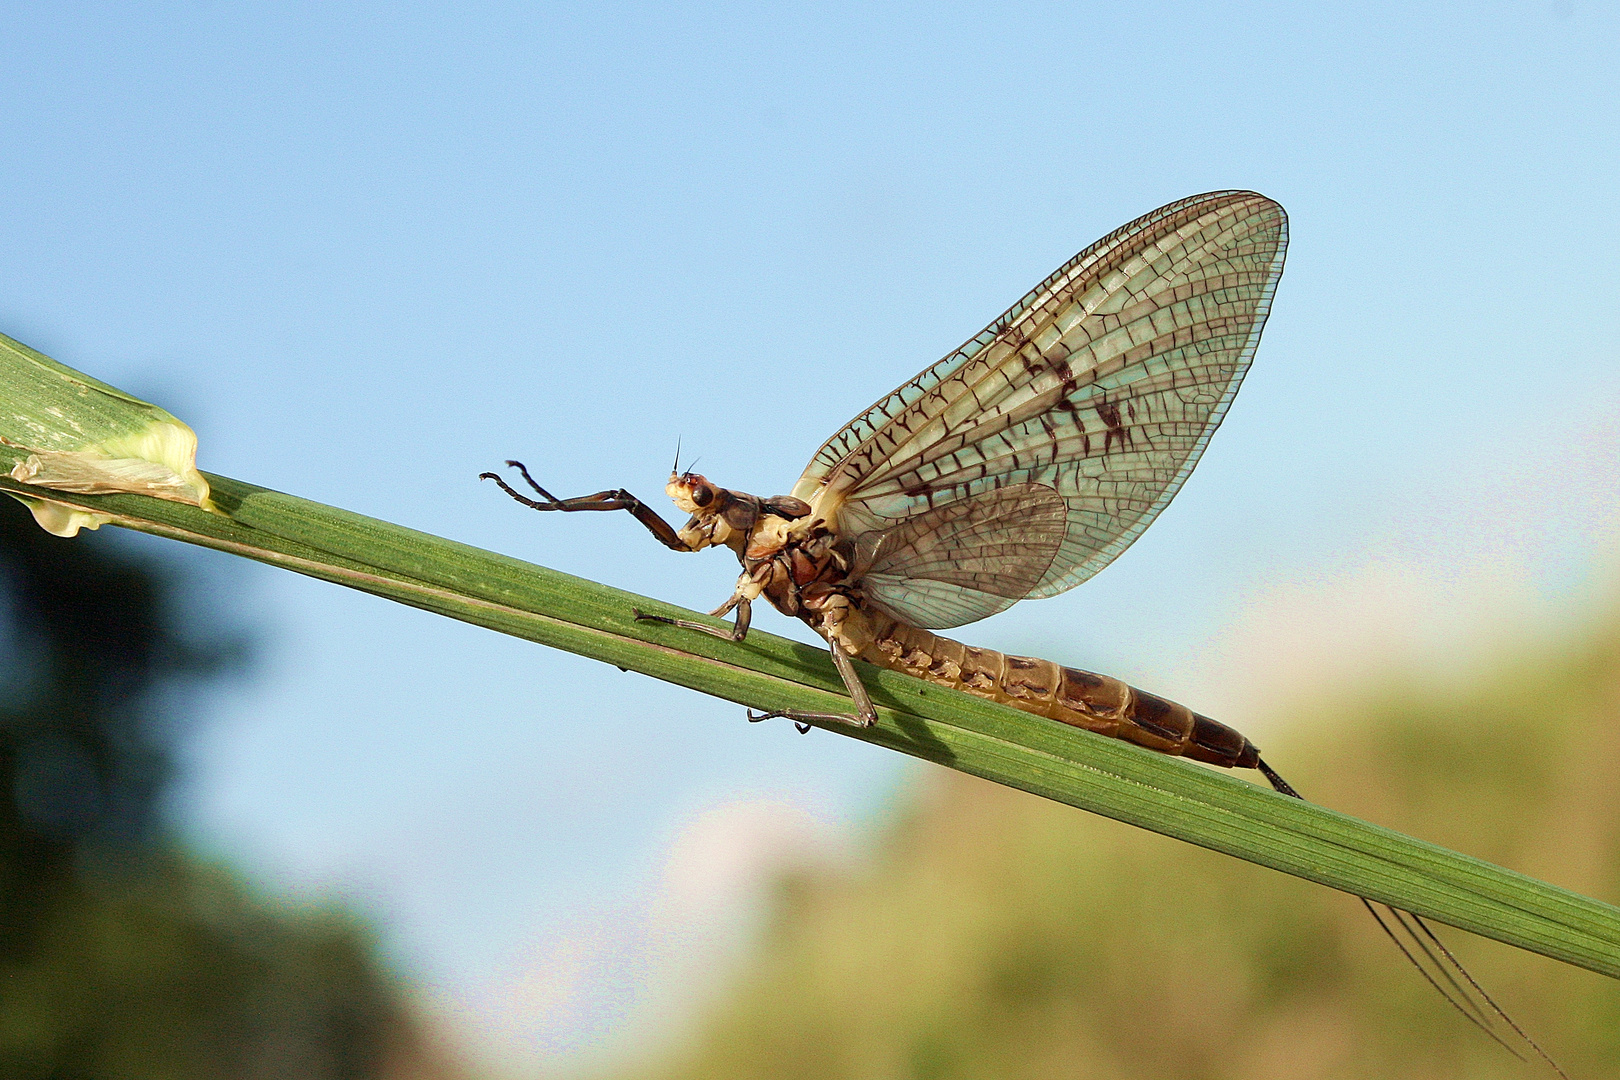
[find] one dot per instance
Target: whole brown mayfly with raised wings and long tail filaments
(1018, 467)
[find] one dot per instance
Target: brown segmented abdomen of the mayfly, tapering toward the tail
(1062, 694)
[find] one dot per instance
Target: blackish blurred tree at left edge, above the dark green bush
(90, 644)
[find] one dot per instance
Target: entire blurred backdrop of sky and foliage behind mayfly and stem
(260, 827)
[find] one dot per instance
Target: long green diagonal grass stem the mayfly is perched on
(1106, 776)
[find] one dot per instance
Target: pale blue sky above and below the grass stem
(373, 250)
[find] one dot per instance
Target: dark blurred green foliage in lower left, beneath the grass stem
(121, 956)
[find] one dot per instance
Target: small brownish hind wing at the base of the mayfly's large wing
(966, 559)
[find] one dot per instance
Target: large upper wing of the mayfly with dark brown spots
(1101, 386)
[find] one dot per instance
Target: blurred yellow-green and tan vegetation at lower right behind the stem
(1000, 935)
